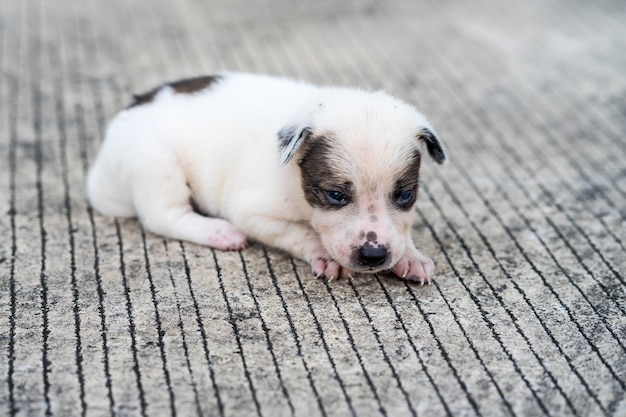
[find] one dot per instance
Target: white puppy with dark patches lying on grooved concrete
(329, 175)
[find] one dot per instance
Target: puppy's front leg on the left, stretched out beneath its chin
(298, 239)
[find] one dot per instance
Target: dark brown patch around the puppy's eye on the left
(319, 175)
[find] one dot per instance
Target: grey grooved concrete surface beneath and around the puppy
(527, 316)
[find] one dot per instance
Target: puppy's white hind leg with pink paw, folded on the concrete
(162, 200)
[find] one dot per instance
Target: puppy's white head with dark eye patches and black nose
(359, 155)
